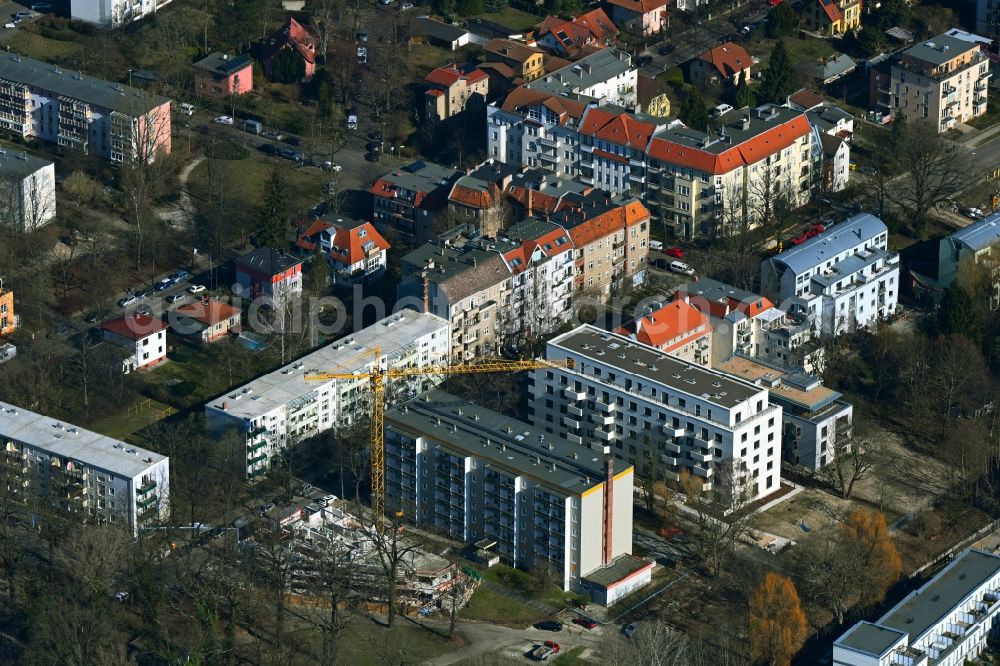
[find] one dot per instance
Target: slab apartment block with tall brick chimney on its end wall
(479, 475)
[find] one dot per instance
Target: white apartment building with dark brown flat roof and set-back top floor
(652, 408)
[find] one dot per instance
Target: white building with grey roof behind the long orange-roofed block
(606, 75)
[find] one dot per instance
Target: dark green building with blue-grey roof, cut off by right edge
(971, 244)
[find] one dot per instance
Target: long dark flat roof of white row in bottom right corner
(924, 608)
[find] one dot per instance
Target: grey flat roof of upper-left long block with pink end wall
(79, 86)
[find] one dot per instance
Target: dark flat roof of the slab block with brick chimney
(470, 429)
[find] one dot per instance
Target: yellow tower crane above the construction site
(377, 379)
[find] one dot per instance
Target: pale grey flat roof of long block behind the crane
(348, 354)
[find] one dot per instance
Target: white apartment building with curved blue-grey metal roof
(844, 278)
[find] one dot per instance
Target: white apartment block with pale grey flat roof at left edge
(98, 478)
